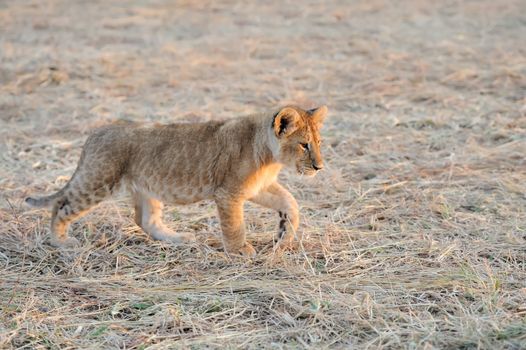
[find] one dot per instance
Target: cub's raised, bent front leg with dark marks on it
(278, 198)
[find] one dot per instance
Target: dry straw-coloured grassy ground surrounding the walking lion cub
(415, 232)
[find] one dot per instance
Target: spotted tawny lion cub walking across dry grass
(229, 161)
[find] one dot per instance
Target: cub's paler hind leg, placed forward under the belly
(148, 215)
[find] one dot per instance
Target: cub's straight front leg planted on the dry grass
(233, 226)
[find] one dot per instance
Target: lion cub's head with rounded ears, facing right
(298, 137)
